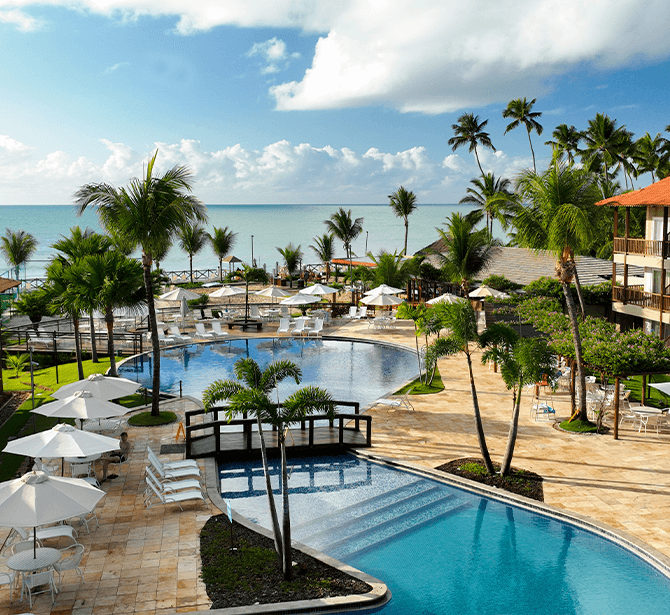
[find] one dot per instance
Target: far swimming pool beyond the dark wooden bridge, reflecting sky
(350, 370)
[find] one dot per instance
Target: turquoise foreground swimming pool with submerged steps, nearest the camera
(444, 550)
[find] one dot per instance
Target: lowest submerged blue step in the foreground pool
(363, 541)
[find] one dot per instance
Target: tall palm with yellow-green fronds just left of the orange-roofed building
(560, 217)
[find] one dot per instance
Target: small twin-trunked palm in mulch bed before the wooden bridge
(250, 394)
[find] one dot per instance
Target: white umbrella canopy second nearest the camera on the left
(62, 441)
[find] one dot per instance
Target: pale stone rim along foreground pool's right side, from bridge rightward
(631, 543)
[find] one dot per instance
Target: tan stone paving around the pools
(144, 562)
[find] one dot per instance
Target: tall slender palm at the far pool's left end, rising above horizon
(149, 213)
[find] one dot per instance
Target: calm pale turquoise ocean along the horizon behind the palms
(271, 226)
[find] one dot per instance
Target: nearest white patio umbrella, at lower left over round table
(37, 499)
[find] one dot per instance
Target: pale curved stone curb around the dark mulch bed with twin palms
(378, 596)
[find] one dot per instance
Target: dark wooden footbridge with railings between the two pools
(341, 432)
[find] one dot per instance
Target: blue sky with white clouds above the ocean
(310, 101)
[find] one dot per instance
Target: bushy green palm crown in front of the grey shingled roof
(468, 250)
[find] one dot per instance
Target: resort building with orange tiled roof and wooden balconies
(642, 300)
